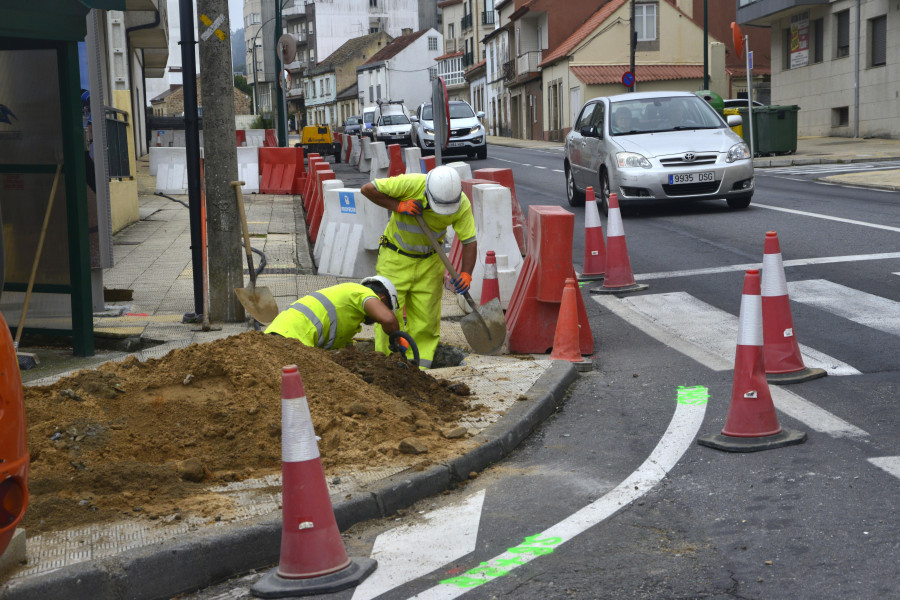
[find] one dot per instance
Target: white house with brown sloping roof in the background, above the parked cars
(402, 70)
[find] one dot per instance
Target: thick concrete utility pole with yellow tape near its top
(226, 256)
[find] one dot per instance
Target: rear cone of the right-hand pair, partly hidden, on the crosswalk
(784, 363)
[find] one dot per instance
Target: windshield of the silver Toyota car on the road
(654, 115)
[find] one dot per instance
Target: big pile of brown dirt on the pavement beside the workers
(147, 439)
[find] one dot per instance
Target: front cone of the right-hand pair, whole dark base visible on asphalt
(751, 424)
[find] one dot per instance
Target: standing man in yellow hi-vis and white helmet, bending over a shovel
(406, 256)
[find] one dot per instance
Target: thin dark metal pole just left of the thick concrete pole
(192, 146)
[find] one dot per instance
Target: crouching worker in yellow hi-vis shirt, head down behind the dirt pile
(330, 317)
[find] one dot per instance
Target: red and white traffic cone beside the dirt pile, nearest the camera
(313, 559)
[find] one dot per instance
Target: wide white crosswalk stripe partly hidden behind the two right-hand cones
(710, 332)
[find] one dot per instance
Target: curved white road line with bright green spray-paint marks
(677, 438)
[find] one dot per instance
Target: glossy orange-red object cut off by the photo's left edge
(14, 460)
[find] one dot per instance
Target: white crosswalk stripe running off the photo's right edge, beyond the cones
(860, 307)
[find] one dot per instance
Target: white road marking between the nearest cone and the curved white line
(411, 551)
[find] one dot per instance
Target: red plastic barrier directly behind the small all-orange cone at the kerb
(534, 307)
